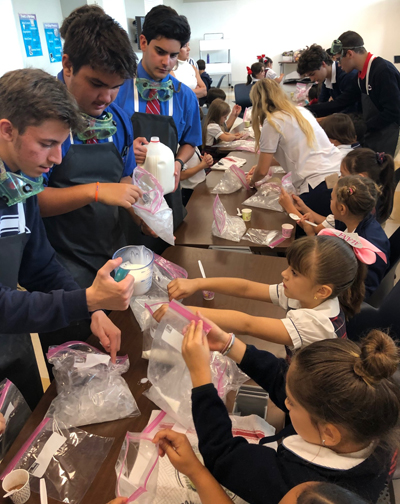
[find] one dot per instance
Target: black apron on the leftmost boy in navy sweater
(17, 357)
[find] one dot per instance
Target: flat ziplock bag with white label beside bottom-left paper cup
(68, 459)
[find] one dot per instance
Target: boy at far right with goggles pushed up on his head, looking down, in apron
(379, 85)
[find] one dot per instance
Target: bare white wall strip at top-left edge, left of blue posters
(11, 58)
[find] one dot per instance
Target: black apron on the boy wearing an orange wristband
(86, 238)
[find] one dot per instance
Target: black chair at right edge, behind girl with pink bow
(386, 317)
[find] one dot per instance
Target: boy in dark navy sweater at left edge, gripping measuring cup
(36, 114)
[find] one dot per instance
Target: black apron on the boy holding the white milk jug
(148, 125)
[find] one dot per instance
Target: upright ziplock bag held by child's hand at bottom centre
(137, 465)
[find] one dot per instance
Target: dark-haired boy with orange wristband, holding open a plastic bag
(81, 202)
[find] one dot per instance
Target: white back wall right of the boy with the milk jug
(256, 27)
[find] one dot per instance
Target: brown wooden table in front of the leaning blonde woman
(195, 230)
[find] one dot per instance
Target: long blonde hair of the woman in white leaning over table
(267, 98)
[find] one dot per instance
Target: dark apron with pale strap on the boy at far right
(383, 140)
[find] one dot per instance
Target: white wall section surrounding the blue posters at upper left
(48, 11)
